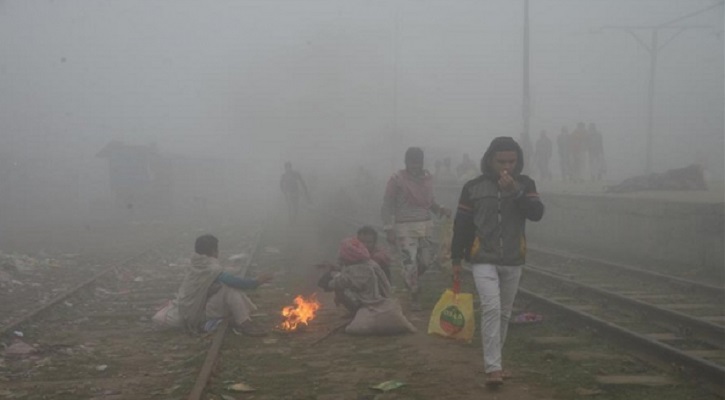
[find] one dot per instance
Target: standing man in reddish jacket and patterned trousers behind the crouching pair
(406, 214)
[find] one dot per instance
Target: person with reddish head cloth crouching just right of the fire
(360, 280)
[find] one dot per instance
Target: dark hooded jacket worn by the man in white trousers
(490, 224)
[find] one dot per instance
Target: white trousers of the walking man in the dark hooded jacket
(497, 287)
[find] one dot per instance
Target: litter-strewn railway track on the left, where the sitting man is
(96, 339)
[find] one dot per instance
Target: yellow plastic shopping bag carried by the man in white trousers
(453, 315)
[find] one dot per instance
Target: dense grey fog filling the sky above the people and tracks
(220, 94)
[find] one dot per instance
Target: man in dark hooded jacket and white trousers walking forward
(489, 233)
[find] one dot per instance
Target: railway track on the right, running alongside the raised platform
(674, 320)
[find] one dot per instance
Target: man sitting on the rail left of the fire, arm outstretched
(208, 293)
